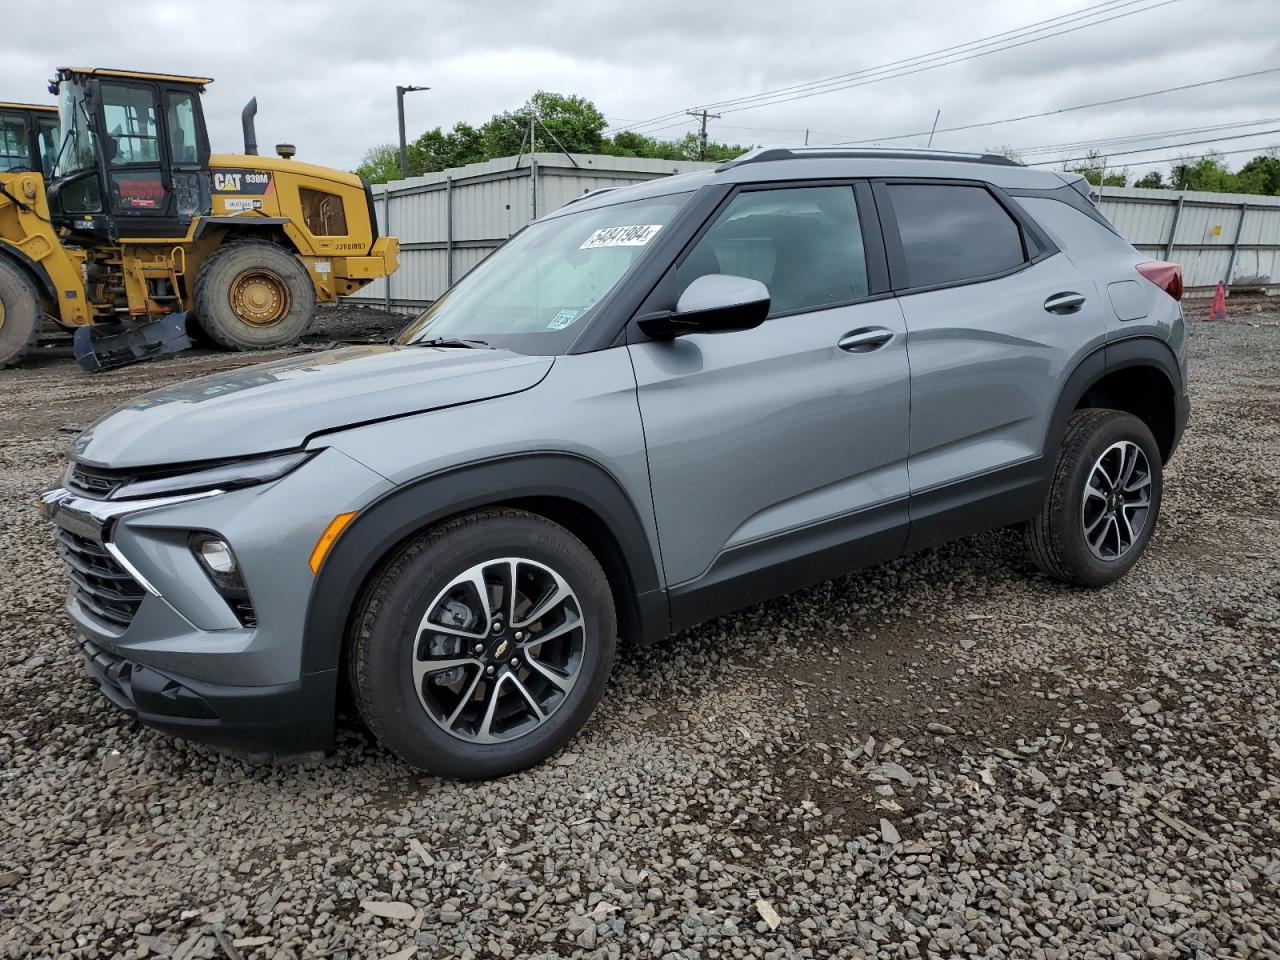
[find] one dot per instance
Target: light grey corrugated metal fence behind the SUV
(449, 222)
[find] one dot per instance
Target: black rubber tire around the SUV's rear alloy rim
(1057, 538)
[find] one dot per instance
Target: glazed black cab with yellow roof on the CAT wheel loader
(135, 154)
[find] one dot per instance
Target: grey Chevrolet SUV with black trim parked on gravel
(652, 408)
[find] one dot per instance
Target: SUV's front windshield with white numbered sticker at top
(534, 295)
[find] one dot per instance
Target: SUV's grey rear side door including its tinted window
(996, 319)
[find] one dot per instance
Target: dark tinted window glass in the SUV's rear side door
(954, 234)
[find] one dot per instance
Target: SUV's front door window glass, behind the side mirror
(804, 244)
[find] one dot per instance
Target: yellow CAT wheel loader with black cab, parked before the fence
(141, 230)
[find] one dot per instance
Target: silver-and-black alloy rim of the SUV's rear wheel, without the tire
(1117, 501)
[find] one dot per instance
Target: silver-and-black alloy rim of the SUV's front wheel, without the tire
(499, 651)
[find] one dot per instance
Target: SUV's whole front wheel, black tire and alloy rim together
(484, 647)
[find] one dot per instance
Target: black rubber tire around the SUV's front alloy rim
(385, 639)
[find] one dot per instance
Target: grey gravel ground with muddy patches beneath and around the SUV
(944, 756)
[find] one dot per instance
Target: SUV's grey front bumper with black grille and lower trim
(164, 646)
